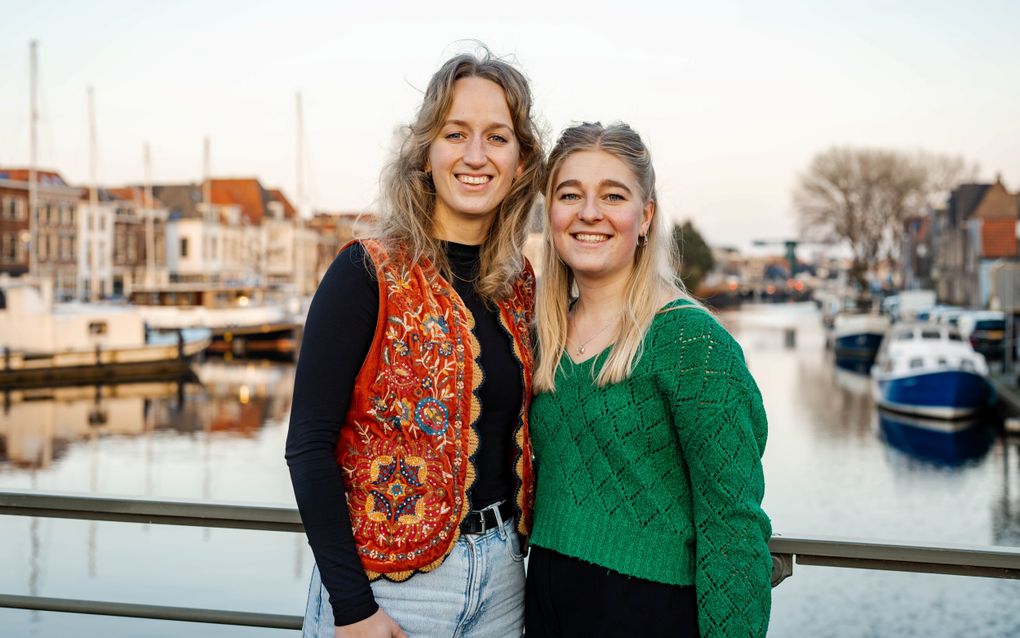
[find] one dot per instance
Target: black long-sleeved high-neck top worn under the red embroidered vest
(338, 336)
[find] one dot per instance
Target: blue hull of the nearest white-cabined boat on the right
(941, 395)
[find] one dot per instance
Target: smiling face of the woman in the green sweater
(596, 216)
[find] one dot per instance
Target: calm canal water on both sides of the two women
(835, 467)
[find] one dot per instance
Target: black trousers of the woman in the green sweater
(567, 598)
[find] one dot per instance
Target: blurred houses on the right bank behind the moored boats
(957, 250)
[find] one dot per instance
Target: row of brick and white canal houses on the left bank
(99, 246)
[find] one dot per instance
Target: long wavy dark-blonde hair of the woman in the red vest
(410, 195)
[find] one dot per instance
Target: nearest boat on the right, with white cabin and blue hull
(931, 371)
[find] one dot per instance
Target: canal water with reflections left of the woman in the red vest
(216, 435)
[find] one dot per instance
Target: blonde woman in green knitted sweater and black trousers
(647, 427)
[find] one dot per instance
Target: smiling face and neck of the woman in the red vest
(474, 161)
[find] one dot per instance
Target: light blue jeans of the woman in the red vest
(478, 593)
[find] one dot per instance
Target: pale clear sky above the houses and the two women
(734, 100)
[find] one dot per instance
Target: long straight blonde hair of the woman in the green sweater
(651, 280)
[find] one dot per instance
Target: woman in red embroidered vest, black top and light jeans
(409, 446)
